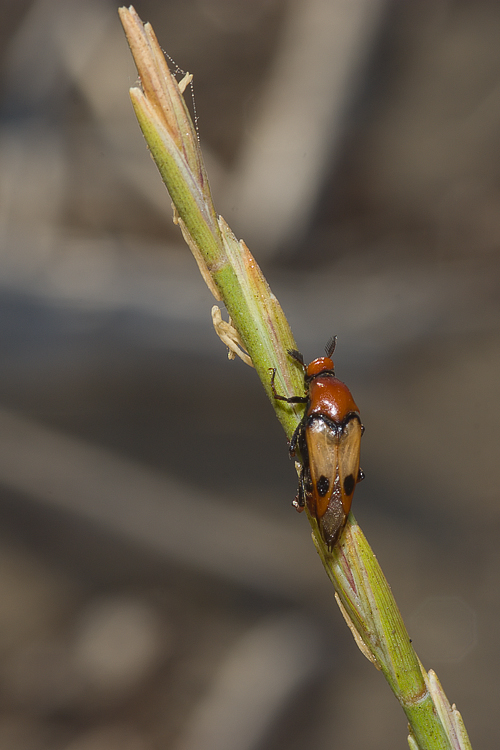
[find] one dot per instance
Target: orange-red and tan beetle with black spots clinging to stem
(328, 438)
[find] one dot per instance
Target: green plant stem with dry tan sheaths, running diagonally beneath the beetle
(235, 278)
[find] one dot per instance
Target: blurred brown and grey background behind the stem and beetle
(157, 590)
